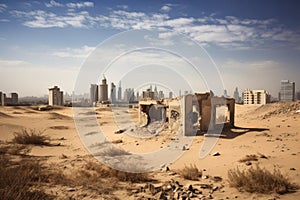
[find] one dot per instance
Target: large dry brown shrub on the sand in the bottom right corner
(260, 181)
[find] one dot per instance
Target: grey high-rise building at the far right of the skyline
(287, 91)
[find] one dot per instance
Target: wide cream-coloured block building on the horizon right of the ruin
(256, 97)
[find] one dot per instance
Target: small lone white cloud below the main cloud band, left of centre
(82, 52)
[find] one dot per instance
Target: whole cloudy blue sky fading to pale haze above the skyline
(250, 44)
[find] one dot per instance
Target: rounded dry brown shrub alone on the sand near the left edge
(31, 136)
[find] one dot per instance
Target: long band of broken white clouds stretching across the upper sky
(228, 32)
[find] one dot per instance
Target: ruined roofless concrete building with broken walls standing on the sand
(197, 112)
